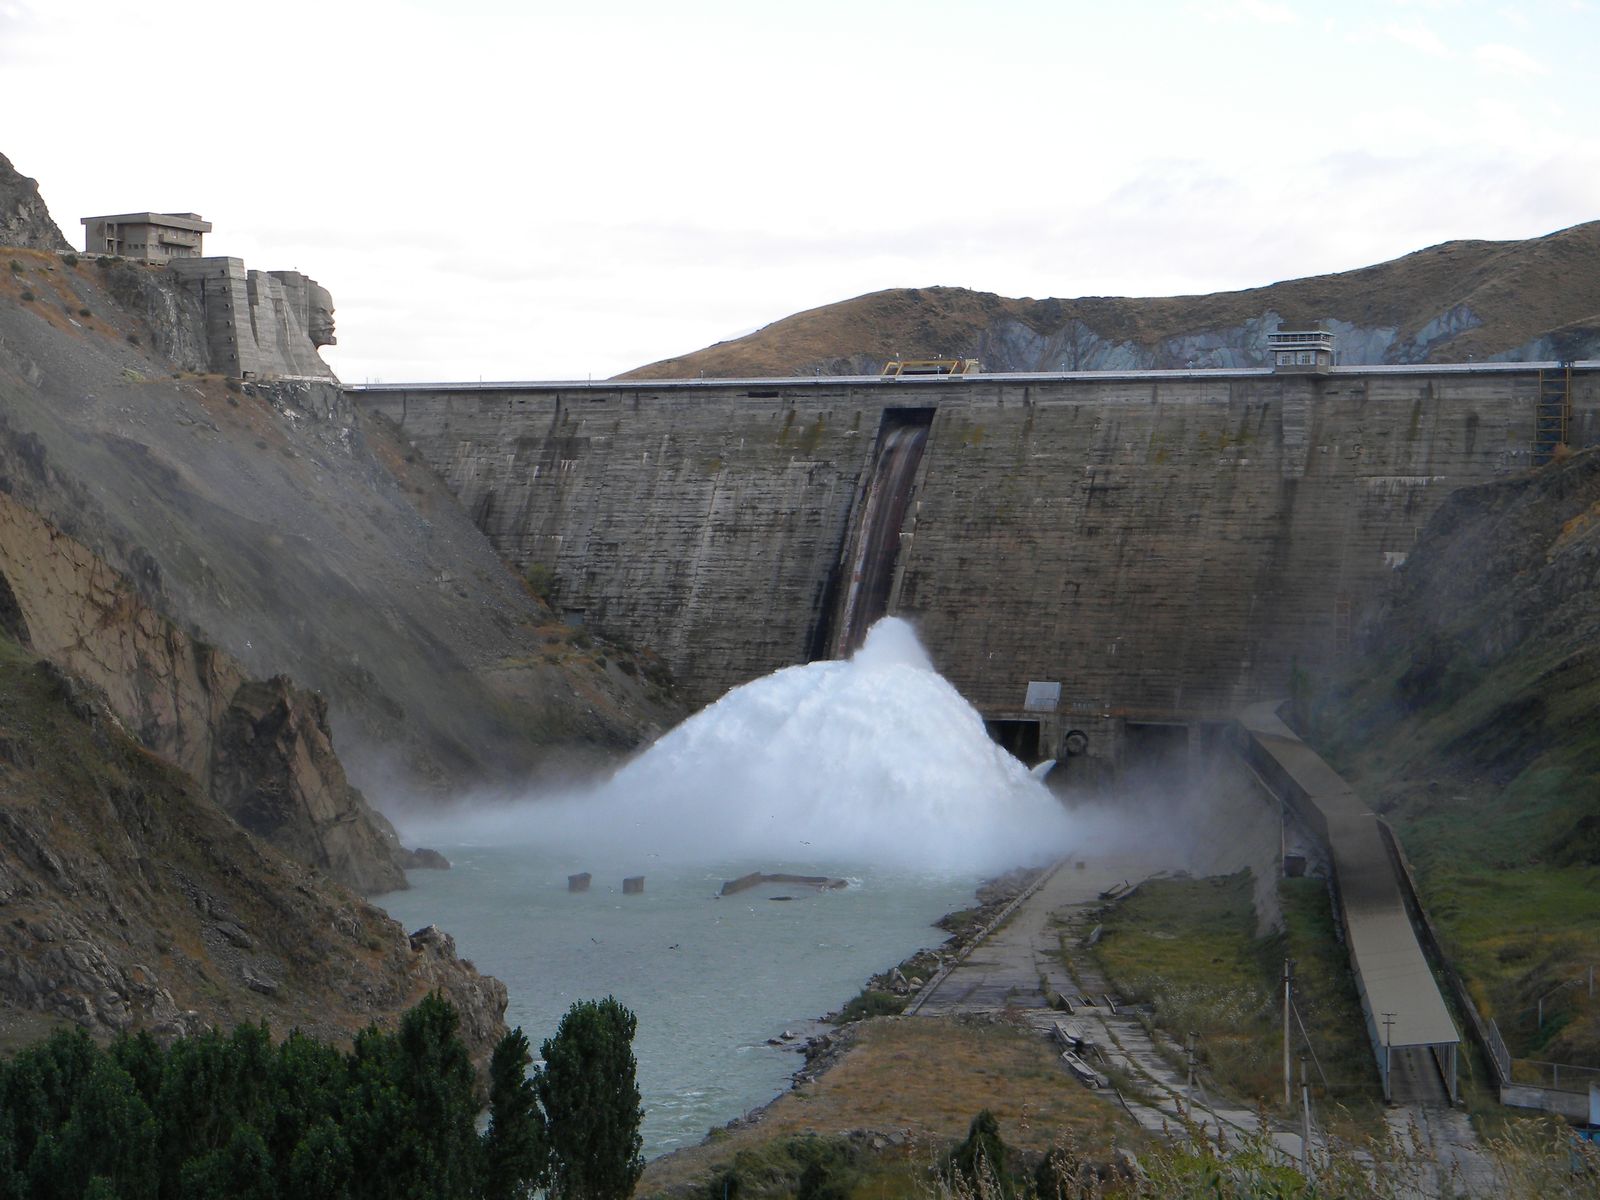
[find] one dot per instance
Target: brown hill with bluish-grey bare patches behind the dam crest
(1450, 303)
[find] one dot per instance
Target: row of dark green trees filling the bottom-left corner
(236, 1116)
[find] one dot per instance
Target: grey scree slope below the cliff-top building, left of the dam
(298, 535)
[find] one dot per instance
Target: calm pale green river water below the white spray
(711, 980)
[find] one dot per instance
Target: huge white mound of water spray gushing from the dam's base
(876, 761)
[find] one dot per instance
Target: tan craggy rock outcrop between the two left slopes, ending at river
(260, 750)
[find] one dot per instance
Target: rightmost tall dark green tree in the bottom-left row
(591, 1103)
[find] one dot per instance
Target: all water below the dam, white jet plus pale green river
(874, 770)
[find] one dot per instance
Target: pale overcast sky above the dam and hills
(538, 191)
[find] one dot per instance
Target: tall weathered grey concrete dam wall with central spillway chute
(1094, 559)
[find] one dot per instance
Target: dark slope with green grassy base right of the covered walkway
(1470, 724)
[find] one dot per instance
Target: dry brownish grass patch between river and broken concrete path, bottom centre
(926, 1078)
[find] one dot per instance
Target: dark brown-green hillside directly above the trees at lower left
(129, 902)
